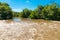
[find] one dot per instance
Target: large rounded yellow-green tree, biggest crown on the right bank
(50, 12)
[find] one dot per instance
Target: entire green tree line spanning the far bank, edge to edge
(48, 12)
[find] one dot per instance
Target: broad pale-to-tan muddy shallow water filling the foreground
(27, 29)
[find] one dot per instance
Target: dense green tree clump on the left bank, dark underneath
(5, 11)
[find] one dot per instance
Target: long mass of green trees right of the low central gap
(50, 12)
